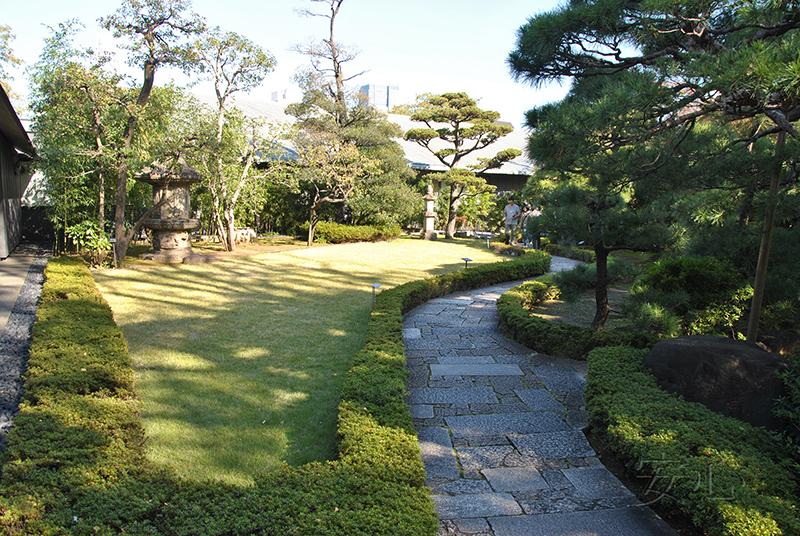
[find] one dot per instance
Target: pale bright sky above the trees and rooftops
(421, 46)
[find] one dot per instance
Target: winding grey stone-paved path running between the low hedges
(500, 430)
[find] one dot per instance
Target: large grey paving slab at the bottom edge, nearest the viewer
(617, 522)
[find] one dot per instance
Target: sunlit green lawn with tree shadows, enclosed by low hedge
(240, 362)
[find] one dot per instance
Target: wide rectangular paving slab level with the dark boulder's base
(505, 423)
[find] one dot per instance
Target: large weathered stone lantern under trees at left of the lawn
(171, 223)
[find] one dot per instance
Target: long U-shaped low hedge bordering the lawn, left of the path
(75, 460)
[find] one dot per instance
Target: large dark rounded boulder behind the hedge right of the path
(735, 378)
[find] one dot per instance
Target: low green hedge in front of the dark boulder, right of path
(730, 477)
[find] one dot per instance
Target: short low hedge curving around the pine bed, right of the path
(555, 338)
